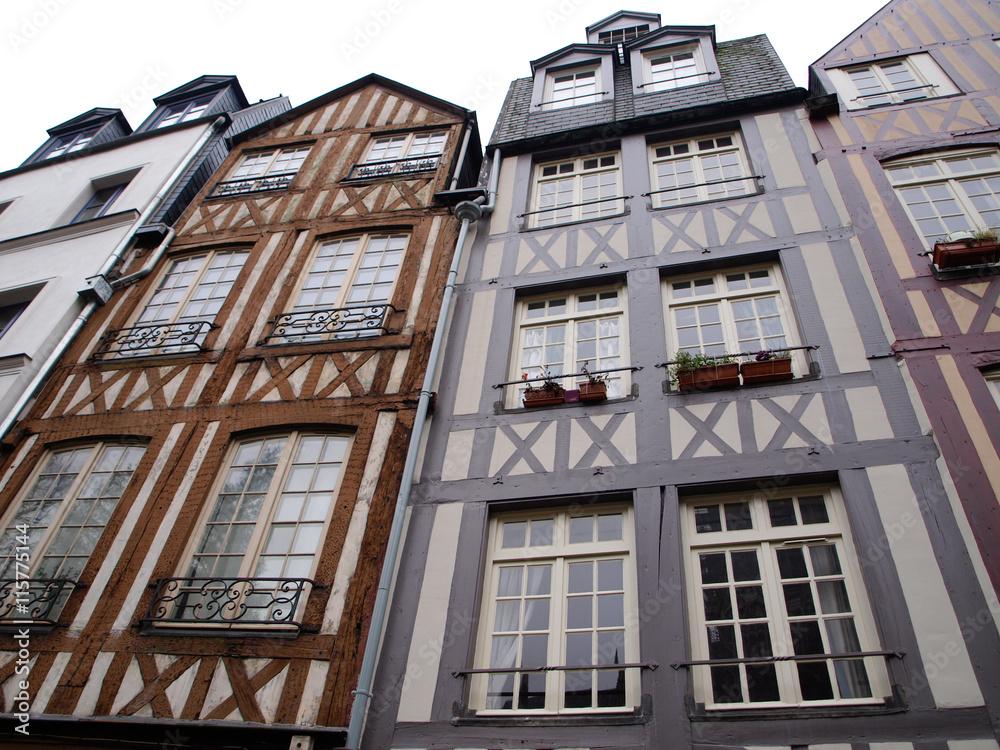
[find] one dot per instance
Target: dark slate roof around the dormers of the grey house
(749, 68)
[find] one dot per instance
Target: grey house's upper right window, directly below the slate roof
(700, 169)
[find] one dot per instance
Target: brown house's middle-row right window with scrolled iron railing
(346, 291)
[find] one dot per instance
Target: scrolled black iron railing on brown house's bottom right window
(232, 603)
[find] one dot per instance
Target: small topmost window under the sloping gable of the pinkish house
(897, 81)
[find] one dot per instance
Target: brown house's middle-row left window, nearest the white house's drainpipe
(194, 299)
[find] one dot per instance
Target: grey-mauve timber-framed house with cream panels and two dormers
(753, 564)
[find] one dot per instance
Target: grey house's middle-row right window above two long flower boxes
(728, 312)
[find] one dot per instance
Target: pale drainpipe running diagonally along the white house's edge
(116, 255)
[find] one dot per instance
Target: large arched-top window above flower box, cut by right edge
(949, 191)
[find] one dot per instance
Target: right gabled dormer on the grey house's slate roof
(672, 57)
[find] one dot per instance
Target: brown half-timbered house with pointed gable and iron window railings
(202, 489)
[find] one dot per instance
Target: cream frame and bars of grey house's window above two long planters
(728, 325)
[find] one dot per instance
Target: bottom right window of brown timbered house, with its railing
(263, 531)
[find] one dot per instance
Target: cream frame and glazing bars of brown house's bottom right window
(258, 544)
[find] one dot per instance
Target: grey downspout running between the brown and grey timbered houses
(468, 212)
